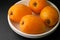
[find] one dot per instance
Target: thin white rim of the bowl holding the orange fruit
(22, 33)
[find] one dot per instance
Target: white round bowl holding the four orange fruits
(14, 26)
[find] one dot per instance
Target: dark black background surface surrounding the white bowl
(6, 32)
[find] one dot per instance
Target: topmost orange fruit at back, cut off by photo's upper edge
(37, 5)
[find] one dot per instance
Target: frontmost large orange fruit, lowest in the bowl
(31, 24)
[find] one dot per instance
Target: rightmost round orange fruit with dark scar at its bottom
(49, 15)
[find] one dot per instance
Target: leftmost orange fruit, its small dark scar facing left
(17, 11)
